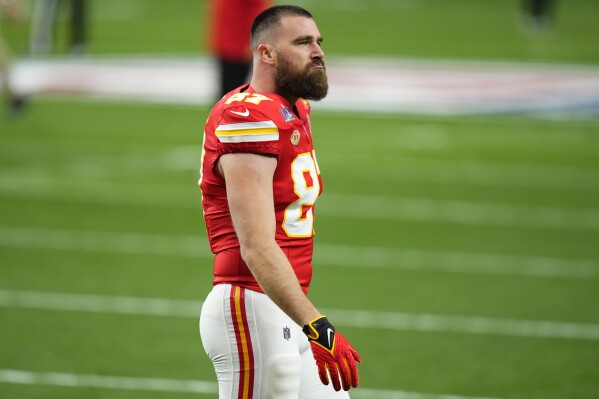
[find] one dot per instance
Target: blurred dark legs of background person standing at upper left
(42, 26)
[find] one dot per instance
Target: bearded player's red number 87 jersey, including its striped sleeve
(261, 123)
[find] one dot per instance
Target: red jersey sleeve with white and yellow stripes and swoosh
(247, 130)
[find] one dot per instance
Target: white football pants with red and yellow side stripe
(258, 352)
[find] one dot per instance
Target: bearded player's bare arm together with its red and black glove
(249, 190)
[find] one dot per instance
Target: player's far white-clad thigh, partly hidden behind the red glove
(310, 384)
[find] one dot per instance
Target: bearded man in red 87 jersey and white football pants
(260, 180)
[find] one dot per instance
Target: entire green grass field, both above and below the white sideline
(459, 254)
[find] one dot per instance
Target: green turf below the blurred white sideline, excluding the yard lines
(61, 173)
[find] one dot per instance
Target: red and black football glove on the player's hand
(333, 354)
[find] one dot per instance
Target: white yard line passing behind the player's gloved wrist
(394, 321)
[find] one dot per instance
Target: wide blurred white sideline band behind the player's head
(385, 85)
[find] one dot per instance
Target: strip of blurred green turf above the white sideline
(466, 29)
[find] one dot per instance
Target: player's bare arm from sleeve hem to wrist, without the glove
(249, 190)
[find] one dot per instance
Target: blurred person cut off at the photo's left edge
(10, 10)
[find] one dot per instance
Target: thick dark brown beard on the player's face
(310, 84)
